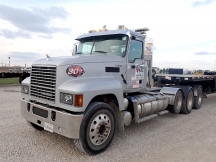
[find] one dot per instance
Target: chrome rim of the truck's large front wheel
(100, 129)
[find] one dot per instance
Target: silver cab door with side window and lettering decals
(135, 65)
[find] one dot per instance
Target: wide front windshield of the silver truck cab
(106, 44)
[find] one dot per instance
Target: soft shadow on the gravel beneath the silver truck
(132, 136)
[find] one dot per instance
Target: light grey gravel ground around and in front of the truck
(164, 139)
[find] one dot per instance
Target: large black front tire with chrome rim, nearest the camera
(97, 128)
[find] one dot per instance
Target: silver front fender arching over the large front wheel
(91, 87)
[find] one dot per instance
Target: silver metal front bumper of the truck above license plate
(65, 124)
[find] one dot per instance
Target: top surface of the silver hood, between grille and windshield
(78, 59)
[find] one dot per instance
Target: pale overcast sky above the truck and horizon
(183, 31)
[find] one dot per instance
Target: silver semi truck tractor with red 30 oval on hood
(105, 85)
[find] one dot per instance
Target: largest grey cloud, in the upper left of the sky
(37, 20)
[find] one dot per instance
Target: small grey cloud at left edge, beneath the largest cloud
(15, 34)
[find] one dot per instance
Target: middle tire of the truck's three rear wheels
(188, 101)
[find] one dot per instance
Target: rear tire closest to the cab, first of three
(178, 103)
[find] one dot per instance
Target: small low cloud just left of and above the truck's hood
(29, 56)
